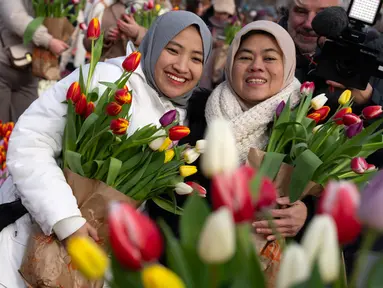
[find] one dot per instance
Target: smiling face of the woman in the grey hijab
(180, 65)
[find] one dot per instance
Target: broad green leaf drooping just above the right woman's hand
(305, 166)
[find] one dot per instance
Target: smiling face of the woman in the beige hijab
(257, 72)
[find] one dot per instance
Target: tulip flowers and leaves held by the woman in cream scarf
(318, 147)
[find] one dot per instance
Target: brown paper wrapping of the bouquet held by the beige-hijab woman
(270, 252)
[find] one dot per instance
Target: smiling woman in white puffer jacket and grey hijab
(174, 51)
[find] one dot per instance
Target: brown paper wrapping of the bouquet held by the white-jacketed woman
(46, 263)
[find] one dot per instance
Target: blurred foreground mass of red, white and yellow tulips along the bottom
(216, 247)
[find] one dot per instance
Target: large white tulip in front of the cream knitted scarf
(221, 155)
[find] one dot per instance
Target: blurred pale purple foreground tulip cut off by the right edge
(370, 209)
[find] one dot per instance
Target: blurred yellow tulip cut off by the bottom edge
(157, 276)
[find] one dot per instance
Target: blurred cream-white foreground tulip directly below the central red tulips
(217, 240)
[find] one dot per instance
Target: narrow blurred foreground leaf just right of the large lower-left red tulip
(175, 257)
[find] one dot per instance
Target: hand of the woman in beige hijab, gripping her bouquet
(289, 220)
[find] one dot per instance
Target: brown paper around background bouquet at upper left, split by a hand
(44, 63)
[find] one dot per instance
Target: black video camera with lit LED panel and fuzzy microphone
(345, 58)
